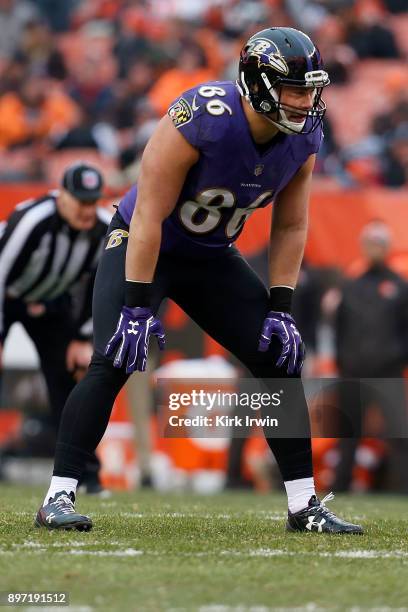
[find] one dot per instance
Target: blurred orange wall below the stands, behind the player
(336, 219)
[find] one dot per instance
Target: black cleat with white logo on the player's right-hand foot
(316, 517)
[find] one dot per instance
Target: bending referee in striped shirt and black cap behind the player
(49, 250)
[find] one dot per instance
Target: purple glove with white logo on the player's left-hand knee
(131, 338)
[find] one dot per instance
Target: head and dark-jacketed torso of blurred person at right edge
(373, 341)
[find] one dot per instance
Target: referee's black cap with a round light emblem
(83, 181)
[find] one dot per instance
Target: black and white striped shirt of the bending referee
(42, 257)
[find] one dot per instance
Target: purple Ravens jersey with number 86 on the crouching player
(232, 177)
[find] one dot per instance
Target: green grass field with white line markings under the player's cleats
(225, 553)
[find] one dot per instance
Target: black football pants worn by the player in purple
(223, 295)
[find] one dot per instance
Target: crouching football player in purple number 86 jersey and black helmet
(224, 150)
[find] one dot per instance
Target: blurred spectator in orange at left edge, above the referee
(35, 112)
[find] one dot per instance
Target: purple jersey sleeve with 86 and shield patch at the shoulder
(201, 114)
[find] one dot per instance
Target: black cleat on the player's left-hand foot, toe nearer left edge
(60, 513)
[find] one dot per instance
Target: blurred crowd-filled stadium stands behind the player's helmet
(99, 42)
